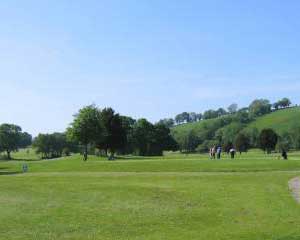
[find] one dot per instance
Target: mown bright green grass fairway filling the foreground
(174, 197)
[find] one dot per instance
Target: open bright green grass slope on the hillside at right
(280, 121)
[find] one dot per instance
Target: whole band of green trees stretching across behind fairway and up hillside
(107, 132)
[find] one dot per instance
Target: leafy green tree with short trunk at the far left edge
(10, 138)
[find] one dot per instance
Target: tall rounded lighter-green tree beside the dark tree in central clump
(86, 128)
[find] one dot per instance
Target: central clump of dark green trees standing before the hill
(109, 133)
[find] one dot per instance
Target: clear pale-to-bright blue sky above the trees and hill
(144, 58)
